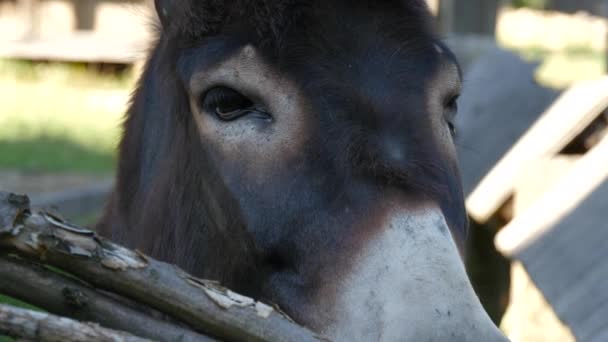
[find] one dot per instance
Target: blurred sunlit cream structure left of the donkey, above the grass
(95, 31)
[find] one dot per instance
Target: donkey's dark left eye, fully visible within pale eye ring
(228, 104)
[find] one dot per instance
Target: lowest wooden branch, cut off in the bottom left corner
(39, 326)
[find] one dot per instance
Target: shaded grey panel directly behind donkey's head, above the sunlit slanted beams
(489, 121)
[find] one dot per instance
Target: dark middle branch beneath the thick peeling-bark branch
(66, 297)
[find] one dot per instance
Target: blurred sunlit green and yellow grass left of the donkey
(59, 117)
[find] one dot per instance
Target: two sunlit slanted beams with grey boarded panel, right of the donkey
(559, 228)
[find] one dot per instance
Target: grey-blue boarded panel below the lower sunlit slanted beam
(569, 266)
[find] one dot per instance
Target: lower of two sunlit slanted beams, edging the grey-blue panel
(586, 175)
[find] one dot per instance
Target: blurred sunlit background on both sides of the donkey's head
(532, 137)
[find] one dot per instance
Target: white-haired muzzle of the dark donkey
(409, 284)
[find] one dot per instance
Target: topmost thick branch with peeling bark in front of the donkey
(203, 305)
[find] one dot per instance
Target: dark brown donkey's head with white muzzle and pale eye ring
(301, 152)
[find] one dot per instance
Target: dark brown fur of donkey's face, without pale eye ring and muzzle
(171, 202)
